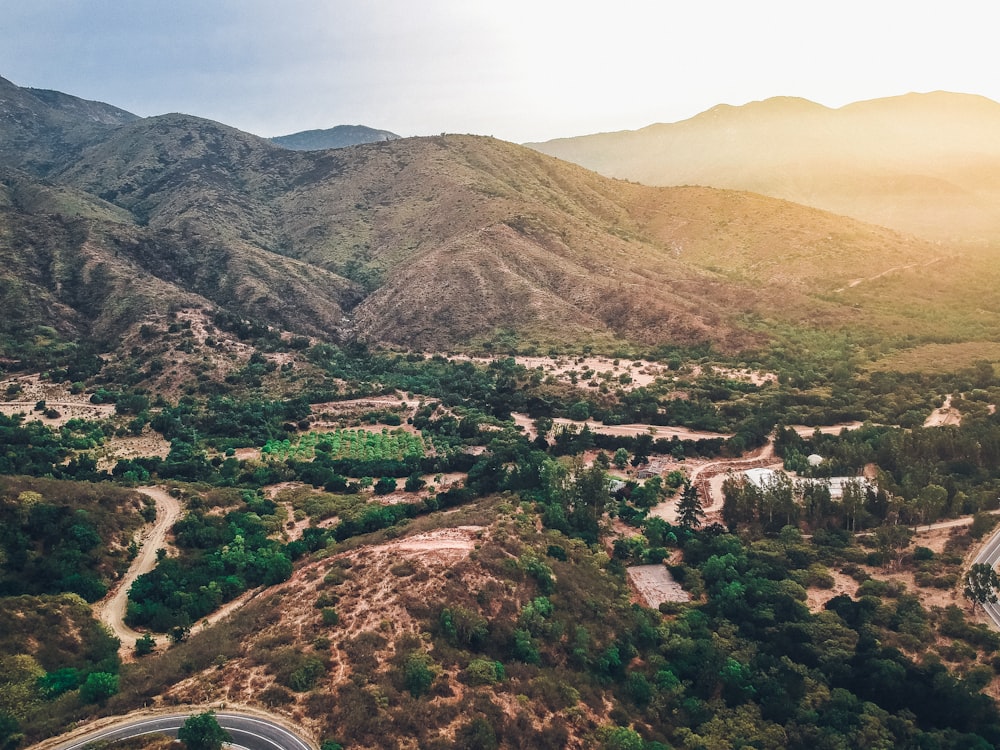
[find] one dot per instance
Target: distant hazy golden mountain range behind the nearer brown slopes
(928, 164)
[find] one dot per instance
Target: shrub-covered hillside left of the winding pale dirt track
(61, 545)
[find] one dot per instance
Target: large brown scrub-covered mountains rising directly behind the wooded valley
(423, 243)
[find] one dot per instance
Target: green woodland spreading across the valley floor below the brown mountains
(745, 662)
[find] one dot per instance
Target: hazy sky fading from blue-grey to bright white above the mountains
(519, 69)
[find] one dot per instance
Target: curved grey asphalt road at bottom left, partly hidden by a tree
(251, 732)
